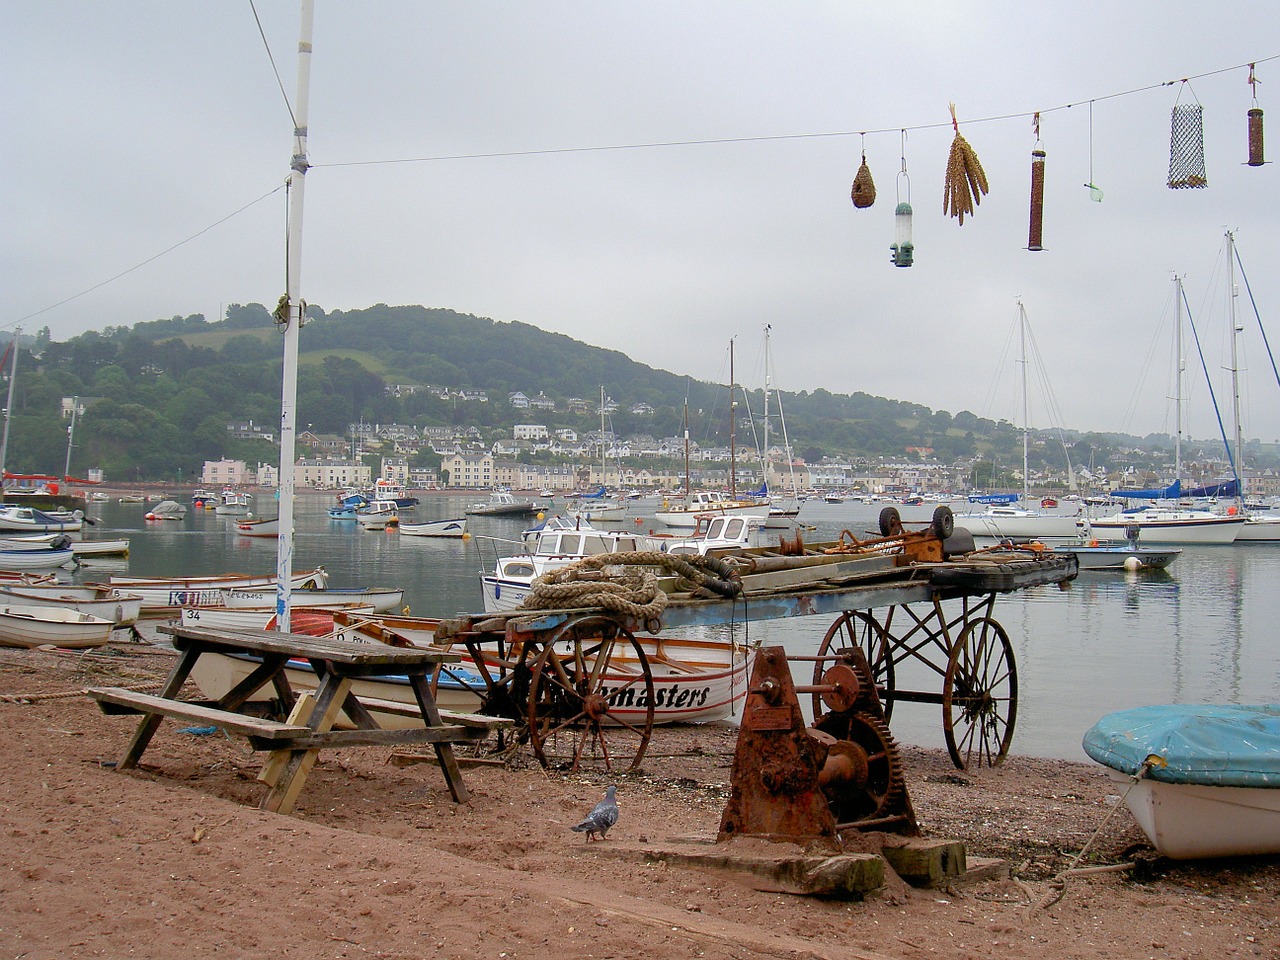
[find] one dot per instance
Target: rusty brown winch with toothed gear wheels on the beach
(816, 783)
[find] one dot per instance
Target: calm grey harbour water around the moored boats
(1205, 632)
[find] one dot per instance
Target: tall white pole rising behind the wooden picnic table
(292, 323)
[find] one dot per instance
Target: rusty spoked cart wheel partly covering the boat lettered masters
(592, 698)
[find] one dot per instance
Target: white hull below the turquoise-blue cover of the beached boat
(1194, 821)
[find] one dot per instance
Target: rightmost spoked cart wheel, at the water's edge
(980, 696)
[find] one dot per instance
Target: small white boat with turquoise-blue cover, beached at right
(1200, 780)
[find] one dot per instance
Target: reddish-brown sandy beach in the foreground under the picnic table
(176, 860)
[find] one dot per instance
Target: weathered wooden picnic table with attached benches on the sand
(308, 729)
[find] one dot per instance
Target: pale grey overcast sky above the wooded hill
(130, 127)
